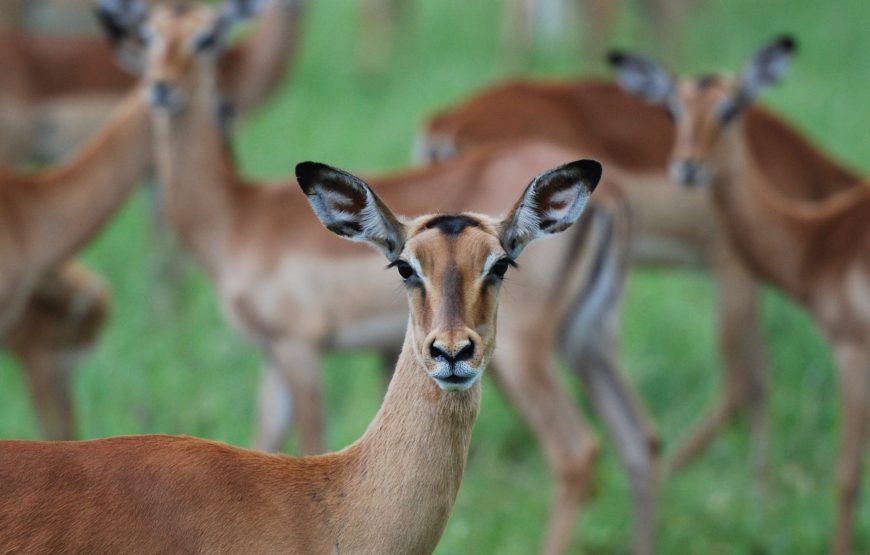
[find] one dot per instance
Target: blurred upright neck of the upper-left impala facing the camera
(197, 172)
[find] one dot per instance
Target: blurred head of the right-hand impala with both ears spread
(703, 108)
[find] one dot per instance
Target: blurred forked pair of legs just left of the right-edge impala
(742, 353)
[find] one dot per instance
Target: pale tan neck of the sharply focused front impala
(408, 466)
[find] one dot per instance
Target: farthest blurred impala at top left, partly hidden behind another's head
(56, 88)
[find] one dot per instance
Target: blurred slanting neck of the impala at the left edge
(72, 202)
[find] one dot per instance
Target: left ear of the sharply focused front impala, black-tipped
(348, 207)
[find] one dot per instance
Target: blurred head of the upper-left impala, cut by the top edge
(169, 44)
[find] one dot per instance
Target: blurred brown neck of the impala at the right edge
(770, 239)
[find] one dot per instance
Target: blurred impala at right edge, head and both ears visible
(816, 249)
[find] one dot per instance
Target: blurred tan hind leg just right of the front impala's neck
(525, 371)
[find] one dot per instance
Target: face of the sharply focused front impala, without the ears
(452, 268)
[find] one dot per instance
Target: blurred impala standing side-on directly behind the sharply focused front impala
(280, 287)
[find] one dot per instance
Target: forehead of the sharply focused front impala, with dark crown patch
(436, 247)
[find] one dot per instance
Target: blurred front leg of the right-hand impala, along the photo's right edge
(853, 362)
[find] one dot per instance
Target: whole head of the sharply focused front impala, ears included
(452, 266)
